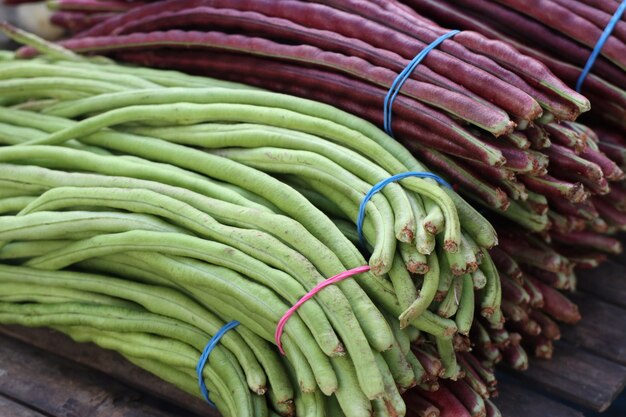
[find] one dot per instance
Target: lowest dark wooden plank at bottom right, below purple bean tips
(517, 401)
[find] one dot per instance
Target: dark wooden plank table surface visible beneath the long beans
(45, 374)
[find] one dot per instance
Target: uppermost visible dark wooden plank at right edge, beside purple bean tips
(607, 282)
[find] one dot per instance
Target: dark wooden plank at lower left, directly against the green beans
(109, 363)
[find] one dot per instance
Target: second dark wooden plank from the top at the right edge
(602, 329)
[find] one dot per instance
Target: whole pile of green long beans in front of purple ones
(143, 209)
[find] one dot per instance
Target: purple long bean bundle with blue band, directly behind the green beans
(494, 120)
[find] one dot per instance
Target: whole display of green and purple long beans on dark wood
(277, 187)
